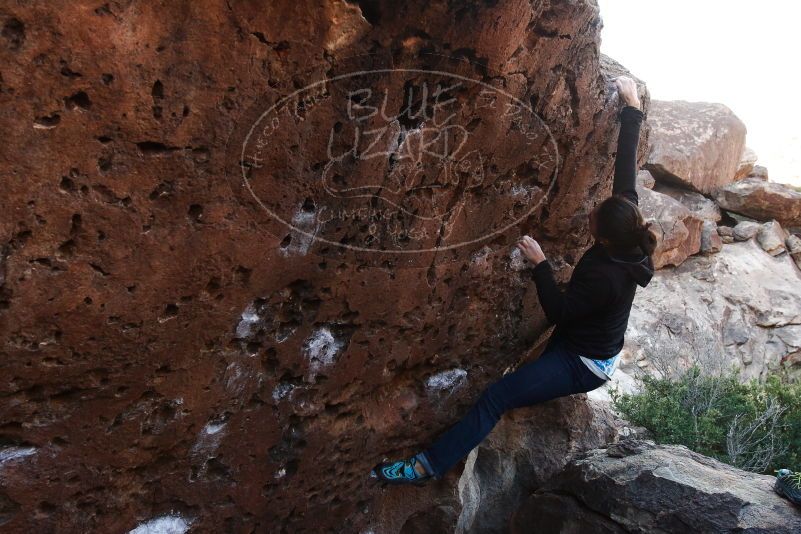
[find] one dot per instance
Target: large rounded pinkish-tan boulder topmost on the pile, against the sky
(696, 145)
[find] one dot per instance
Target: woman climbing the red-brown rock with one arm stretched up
(590, 316)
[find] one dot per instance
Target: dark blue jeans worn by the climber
(556, 373)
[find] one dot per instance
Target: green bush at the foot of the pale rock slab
(751, 425)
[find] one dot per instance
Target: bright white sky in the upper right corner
(744, 54)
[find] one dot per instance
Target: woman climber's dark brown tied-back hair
(620, 222)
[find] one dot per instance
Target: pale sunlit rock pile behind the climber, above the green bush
(727, 289)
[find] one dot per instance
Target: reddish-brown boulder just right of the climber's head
(678, 230)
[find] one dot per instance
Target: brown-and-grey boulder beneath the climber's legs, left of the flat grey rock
(526, 448)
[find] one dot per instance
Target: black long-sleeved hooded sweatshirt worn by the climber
(592, 314)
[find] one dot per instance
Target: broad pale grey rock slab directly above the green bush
(738, 307)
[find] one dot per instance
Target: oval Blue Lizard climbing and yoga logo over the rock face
(399, 161)
